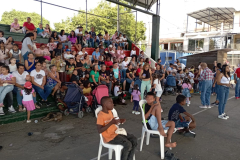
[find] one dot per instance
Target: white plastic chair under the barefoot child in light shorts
(148, 132)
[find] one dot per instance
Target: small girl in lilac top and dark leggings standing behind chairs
(135, 97)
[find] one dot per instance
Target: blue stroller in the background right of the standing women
(170, 86)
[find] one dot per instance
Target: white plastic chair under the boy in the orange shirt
(111, 147)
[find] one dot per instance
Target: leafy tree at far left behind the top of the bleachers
(8, 17)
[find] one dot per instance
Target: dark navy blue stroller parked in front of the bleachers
(75, 100)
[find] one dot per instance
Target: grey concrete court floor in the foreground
(77, 139)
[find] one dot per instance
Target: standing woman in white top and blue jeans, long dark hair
(223, 90)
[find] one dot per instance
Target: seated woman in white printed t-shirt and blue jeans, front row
(38, 79)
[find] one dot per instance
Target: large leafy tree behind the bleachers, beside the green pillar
(105, 9)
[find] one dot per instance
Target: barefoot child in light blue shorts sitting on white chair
(154, 120)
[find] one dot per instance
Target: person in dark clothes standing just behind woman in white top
(218, 69)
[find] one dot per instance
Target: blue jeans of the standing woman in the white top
(223, 97)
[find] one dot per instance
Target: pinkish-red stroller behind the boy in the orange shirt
(99, 92)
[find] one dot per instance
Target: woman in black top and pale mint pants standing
(146, 76)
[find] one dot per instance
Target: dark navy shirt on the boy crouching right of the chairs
(174, 112)
